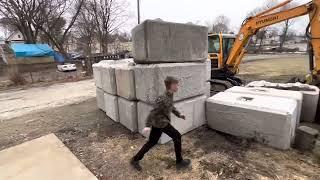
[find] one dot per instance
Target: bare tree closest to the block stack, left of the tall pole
(109, 16)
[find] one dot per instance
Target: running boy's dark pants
(154, 138)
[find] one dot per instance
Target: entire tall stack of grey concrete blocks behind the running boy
(160, 49)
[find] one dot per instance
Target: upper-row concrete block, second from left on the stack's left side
(108, 76)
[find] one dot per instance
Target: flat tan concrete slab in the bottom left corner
(43, 158)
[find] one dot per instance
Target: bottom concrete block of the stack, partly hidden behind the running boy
(193, 109)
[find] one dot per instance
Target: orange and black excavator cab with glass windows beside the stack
(219, 47)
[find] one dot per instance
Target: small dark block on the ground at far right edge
(306, 138)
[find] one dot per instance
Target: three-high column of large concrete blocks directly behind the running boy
(164, 49)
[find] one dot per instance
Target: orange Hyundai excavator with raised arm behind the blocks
(227, 50)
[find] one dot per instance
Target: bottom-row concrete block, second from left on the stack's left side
(111, 106)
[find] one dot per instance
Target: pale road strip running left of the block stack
(20, 102)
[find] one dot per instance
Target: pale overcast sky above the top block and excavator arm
(202, 10)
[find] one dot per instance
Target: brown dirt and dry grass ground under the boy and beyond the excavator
(105, 147)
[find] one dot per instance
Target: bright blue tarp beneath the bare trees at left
(32, 50)
